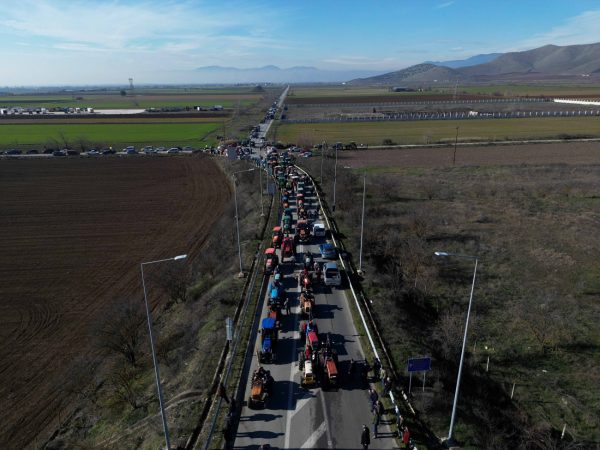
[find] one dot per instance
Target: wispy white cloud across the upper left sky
(120, 26)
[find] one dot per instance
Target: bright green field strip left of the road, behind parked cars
(166, 134)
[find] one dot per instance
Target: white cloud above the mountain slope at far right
(581, 29)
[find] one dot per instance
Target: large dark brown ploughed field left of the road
(74, 232)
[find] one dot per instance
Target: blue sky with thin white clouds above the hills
(87, 42)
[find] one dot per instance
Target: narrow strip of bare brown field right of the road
(535, 154)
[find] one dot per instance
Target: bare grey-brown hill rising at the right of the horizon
(547, 62)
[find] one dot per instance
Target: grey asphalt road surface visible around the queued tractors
(296, 417)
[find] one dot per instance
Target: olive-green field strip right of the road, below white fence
(423, 132)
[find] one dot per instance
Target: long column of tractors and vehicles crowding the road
(318, 360)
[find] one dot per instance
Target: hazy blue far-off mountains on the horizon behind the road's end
(274, 74)
